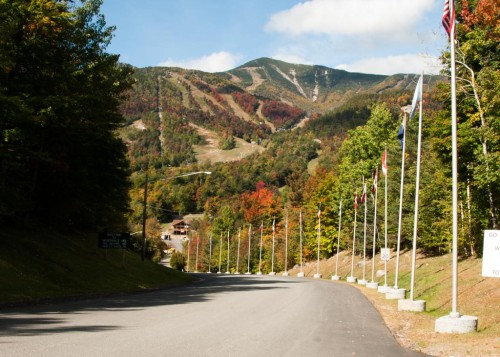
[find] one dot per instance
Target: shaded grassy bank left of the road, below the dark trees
(37, 265)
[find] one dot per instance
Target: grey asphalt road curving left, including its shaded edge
(221, 315)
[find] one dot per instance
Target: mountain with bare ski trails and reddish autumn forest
(170, 110)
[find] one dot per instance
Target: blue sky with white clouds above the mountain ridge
(367, 36)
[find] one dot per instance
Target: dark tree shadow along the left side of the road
(38, 319)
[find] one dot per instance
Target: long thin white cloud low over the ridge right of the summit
(410, 63)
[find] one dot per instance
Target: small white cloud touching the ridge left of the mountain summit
(215, 62)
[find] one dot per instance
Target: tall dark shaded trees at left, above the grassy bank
(60, 160)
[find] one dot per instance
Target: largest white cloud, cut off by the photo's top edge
(350, 17)
